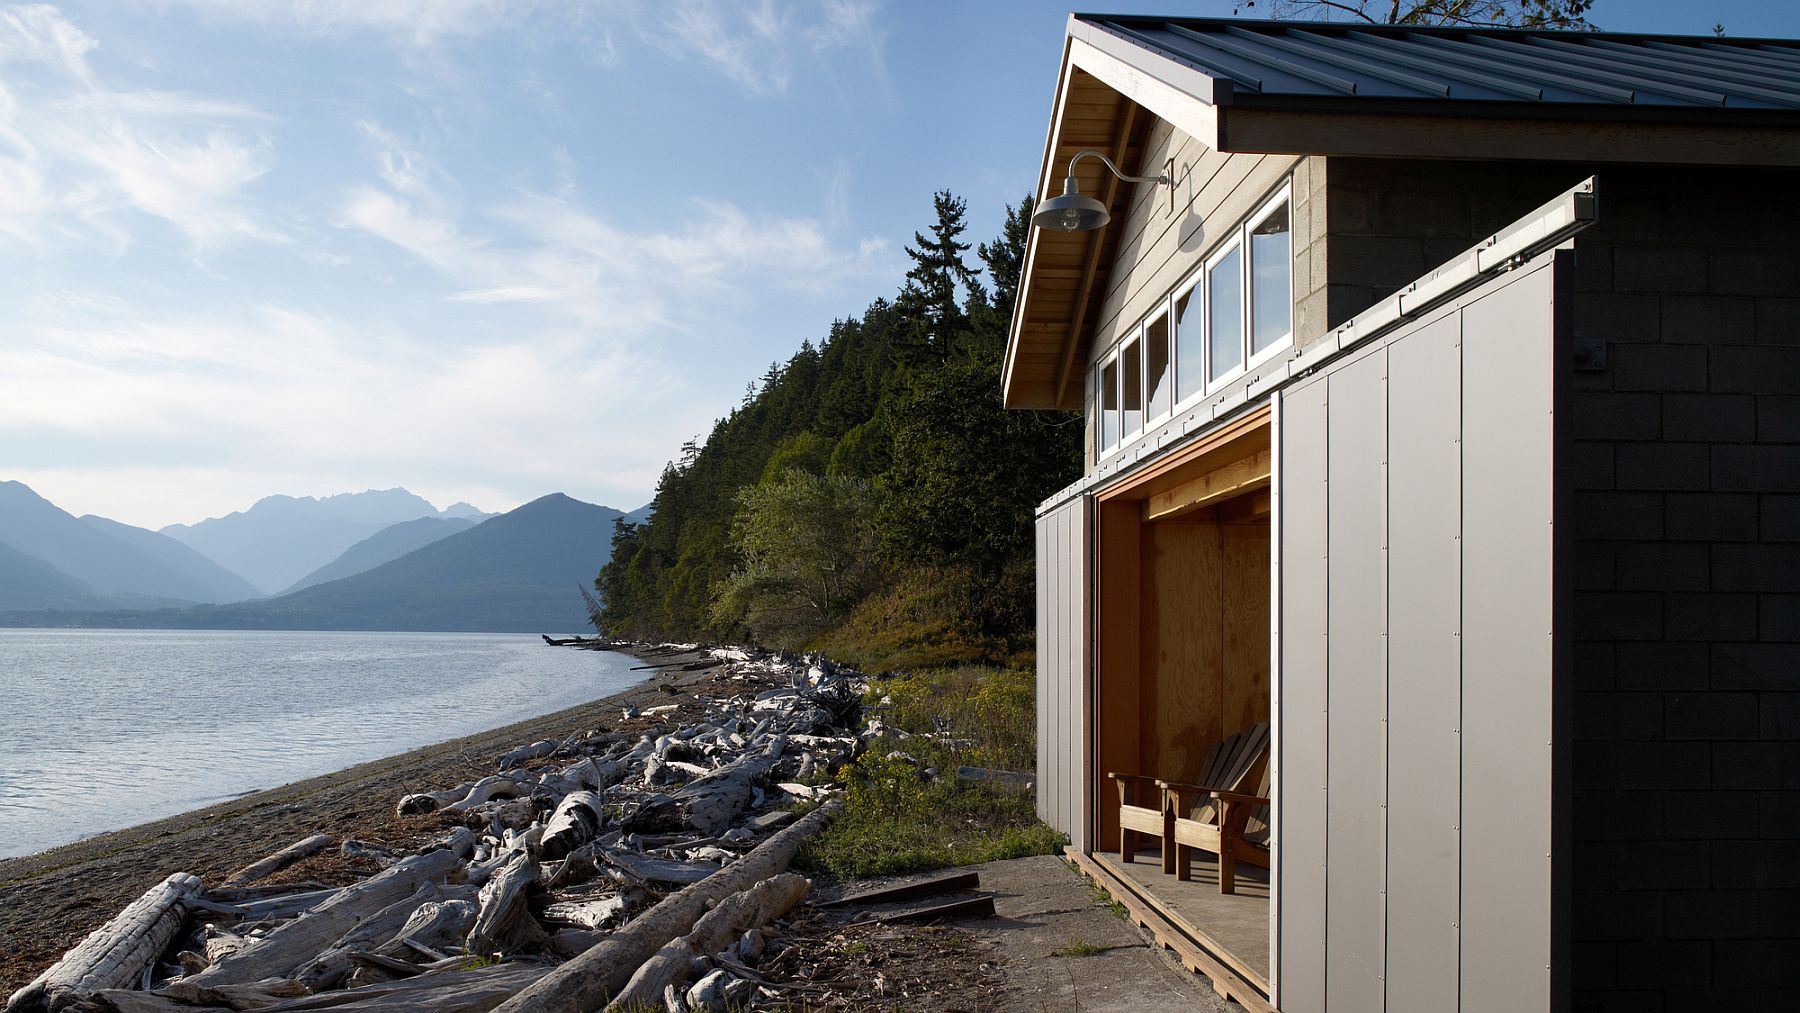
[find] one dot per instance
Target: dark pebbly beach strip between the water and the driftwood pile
(53, 899)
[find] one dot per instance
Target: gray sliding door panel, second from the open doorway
(1356, 686)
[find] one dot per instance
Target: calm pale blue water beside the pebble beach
(103, 730)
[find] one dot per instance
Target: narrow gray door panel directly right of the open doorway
(1302, 791)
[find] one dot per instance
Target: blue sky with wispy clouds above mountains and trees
(481, 249)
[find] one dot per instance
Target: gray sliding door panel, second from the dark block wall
(1425, 665)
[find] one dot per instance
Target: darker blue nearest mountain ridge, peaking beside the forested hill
(517, 573)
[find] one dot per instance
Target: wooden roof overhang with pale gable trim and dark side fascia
(1111, 89)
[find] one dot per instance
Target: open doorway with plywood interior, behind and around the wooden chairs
(1183, 654)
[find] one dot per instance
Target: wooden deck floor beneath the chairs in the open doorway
(1223, 937)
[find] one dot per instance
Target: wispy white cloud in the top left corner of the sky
(78, 154)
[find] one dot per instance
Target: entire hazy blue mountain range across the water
(454, 569)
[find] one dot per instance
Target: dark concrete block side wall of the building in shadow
(1686, 472)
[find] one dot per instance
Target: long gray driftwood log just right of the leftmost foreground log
(294, 944)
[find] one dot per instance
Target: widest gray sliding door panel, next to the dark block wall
(1509, 447)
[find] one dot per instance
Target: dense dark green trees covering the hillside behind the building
(870, 496)
